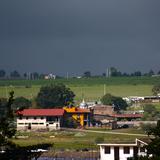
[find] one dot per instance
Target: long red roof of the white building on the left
(42, 112)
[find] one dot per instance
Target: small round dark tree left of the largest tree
(21, 103)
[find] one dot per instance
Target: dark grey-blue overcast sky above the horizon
(74, 36)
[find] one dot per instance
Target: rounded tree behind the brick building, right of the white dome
(117, 102)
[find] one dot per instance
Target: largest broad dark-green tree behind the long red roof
(57, 95)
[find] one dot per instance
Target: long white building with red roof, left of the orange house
(39, 119)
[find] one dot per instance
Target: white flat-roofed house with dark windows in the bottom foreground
(122, 151)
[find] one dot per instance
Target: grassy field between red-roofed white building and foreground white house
(73, 139)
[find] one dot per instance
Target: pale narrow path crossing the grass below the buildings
(107, 132)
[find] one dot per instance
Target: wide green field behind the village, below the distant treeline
(89, 88)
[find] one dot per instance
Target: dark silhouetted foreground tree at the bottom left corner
(8, 130)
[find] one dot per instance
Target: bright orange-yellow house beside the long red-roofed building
(82, 116)
